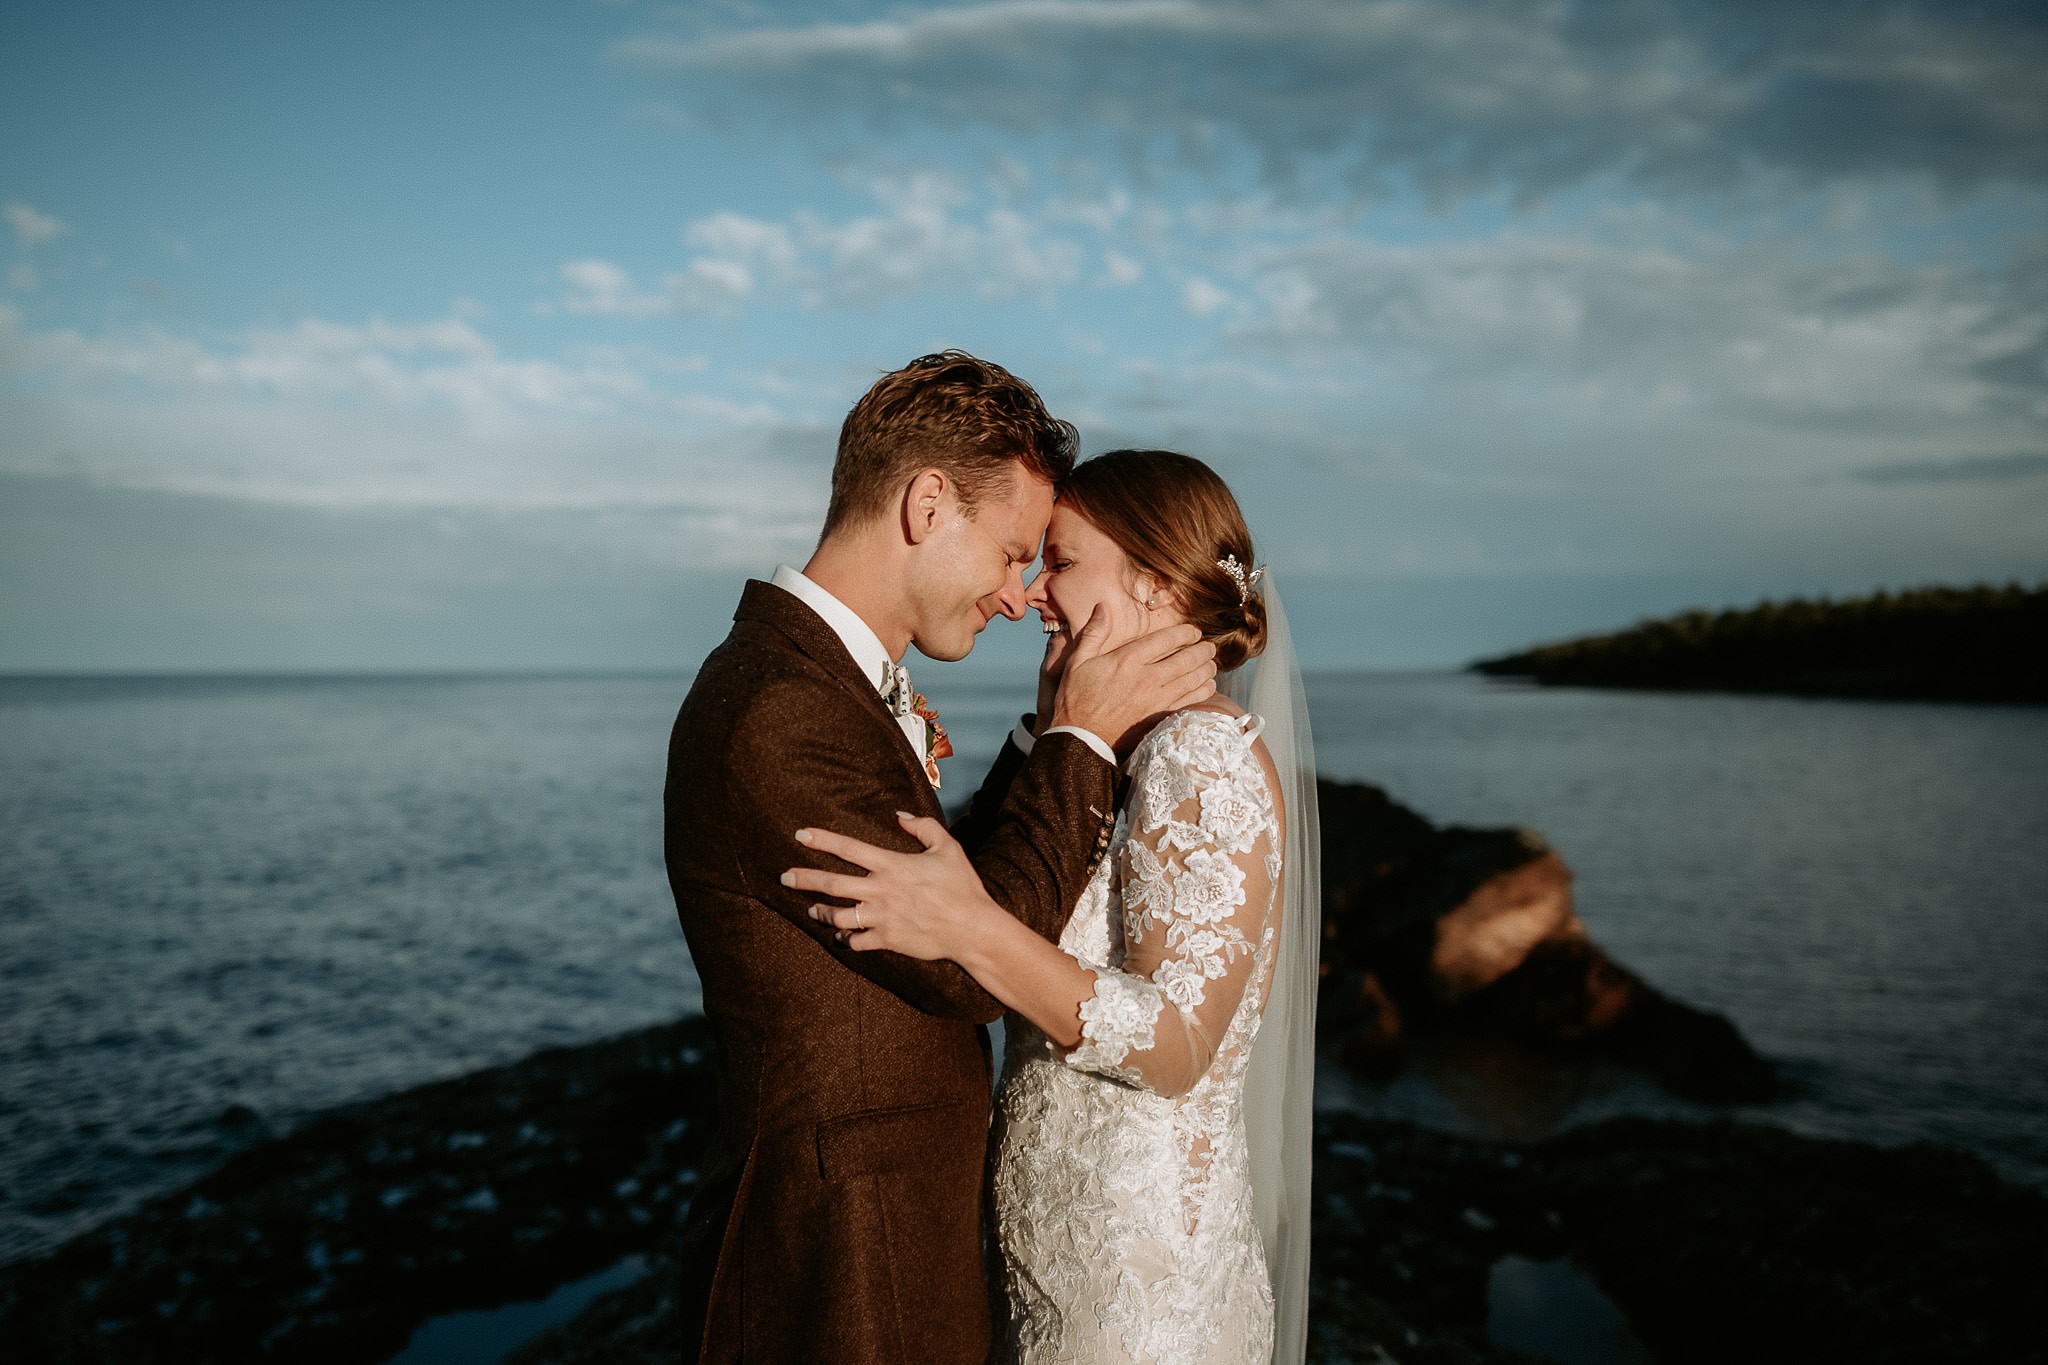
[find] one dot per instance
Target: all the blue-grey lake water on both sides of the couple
(230, 904)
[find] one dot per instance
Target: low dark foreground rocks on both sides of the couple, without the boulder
(1717, 1241)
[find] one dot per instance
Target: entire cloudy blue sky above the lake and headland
(517, 335)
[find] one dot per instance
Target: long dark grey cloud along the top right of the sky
(1455, 97)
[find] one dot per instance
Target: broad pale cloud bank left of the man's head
(409, 414)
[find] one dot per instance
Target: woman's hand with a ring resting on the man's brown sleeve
(921, 906)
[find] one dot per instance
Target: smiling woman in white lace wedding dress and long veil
(1152, 1125)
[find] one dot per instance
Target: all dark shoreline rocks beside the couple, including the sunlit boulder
(1715, 1241)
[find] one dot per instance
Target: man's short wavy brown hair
(951, 412)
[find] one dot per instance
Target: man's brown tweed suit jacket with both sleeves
(843, 1215)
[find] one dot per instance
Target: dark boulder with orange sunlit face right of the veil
(1471, 930)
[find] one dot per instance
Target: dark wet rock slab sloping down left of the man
(339, 1241)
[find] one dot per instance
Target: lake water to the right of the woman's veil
(1863, 887)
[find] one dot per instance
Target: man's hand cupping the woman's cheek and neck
(1117, 693)
